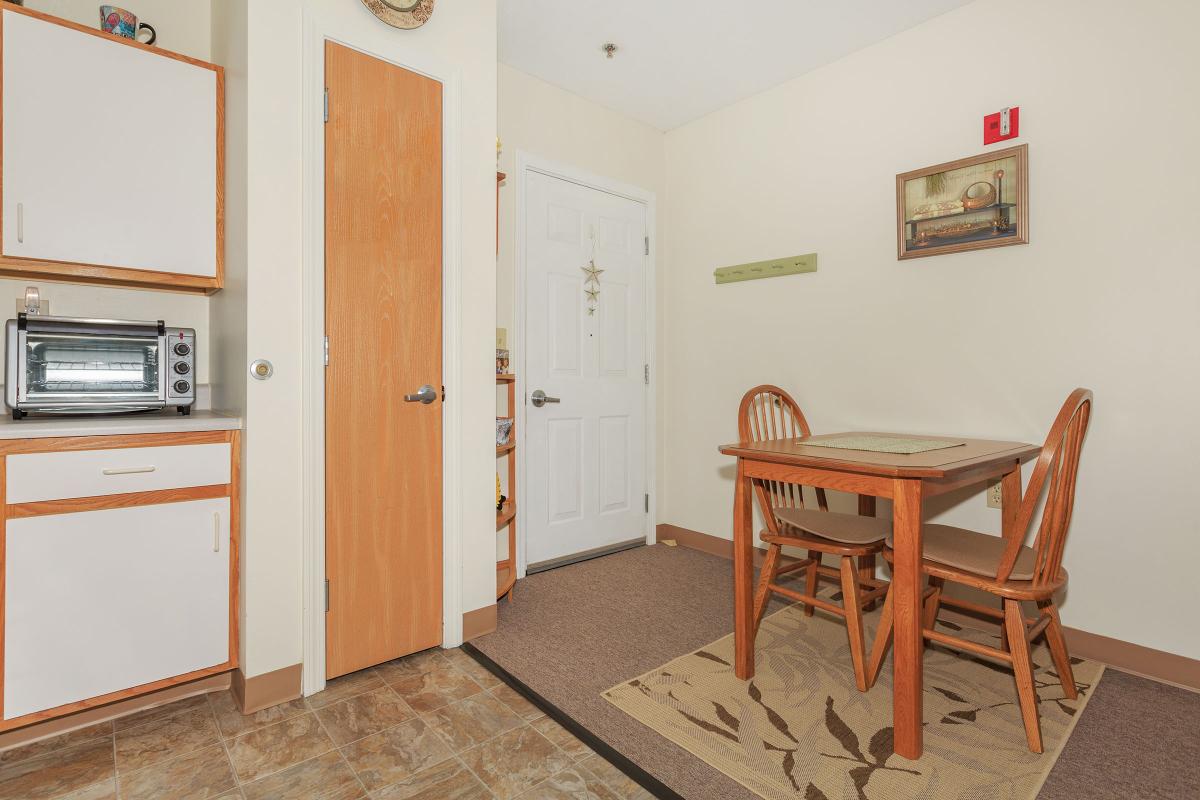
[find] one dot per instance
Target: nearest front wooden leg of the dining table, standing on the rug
(907, 610)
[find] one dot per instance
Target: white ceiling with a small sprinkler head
(680, 61)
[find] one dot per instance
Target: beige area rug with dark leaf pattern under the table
(801, 730)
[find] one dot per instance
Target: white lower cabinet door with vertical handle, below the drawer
(104, 601)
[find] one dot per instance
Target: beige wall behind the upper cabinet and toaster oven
(183, 28)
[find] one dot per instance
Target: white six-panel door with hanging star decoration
(585, 456)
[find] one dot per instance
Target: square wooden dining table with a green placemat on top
(904, 479)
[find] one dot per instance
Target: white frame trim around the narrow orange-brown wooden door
(320, 28)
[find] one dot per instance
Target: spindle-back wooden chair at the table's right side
(1011, 570)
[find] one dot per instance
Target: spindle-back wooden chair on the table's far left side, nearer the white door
(769, 413)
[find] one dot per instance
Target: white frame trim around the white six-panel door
(530, 163)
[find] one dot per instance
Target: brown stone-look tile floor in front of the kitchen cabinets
(434, 726)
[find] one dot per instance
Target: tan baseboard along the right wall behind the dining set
(1126, 657)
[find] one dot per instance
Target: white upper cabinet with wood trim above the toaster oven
(111, 165)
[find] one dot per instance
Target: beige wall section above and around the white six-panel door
(544, 121)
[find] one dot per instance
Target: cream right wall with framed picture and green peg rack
(985, 344)
